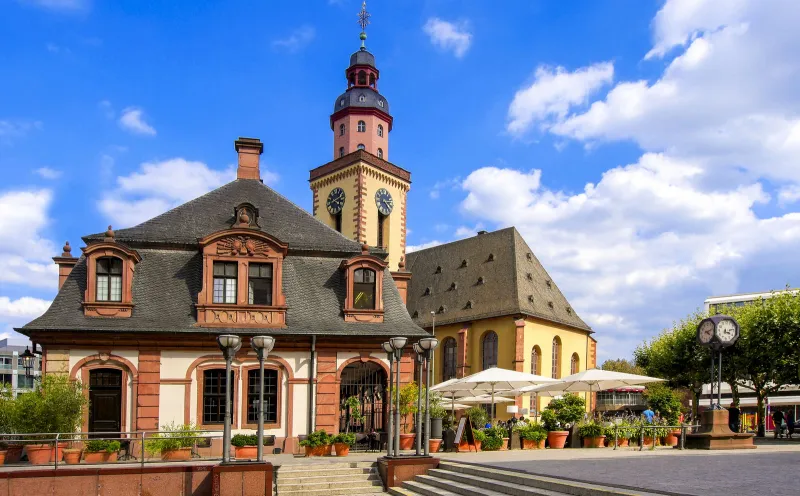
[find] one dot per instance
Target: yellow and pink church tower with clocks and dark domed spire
(360, 193)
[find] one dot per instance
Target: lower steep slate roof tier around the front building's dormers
(166, 284)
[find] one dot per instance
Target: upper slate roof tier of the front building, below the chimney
(212, 212)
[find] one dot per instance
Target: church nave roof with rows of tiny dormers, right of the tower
(514, 282)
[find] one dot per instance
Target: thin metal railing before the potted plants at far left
(132, 443)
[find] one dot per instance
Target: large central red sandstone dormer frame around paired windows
(243, 246)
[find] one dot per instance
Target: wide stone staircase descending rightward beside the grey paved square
(452, 479)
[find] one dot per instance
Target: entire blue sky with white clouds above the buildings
(645, 149)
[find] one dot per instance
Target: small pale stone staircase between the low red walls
(328, 478)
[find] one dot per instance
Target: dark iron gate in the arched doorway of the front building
(367, 382)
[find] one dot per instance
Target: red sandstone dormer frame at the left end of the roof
(92, 307)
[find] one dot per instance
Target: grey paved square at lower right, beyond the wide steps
(756, 472)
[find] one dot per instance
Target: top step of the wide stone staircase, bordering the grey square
(528, 481)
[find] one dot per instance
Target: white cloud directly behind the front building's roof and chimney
(160, 186)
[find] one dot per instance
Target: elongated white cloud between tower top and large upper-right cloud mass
(554, 92)
